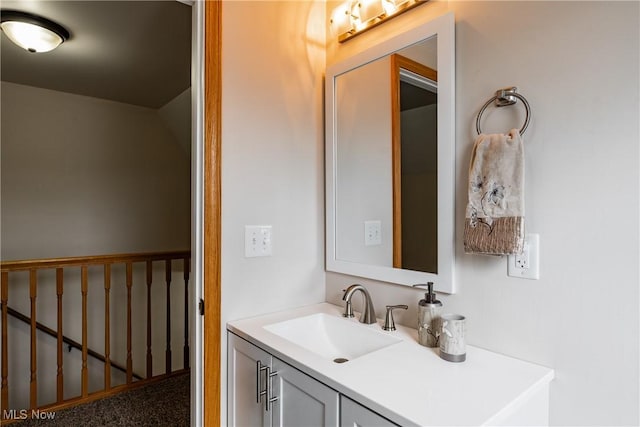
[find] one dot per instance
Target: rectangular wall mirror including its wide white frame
(390, 159)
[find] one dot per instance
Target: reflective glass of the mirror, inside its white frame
(386, 161)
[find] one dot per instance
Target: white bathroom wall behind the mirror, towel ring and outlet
(578, 65)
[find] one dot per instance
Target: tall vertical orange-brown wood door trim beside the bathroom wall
(212, 211)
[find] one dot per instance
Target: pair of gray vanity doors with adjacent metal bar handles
(265, 391)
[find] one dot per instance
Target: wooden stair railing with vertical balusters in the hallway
(83, 263)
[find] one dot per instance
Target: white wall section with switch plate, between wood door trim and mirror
(272, 156)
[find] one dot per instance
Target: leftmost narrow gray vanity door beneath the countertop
(243, 405)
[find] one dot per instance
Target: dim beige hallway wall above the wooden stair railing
(84, 176)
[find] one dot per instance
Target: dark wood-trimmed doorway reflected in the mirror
(414, 148)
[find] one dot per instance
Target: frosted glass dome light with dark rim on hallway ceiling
(32, 32)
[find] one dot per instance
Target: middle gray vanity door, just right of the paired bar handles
(302, 400)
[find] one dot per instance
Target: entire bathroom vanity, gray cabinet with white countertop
(310, 390)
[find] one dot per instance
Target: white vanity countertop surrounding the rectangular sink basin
(406, 382)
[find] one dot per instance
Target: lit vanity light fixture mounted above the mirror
(353, 17)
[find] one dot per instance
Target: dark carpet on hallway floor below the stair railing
(165, 403)
